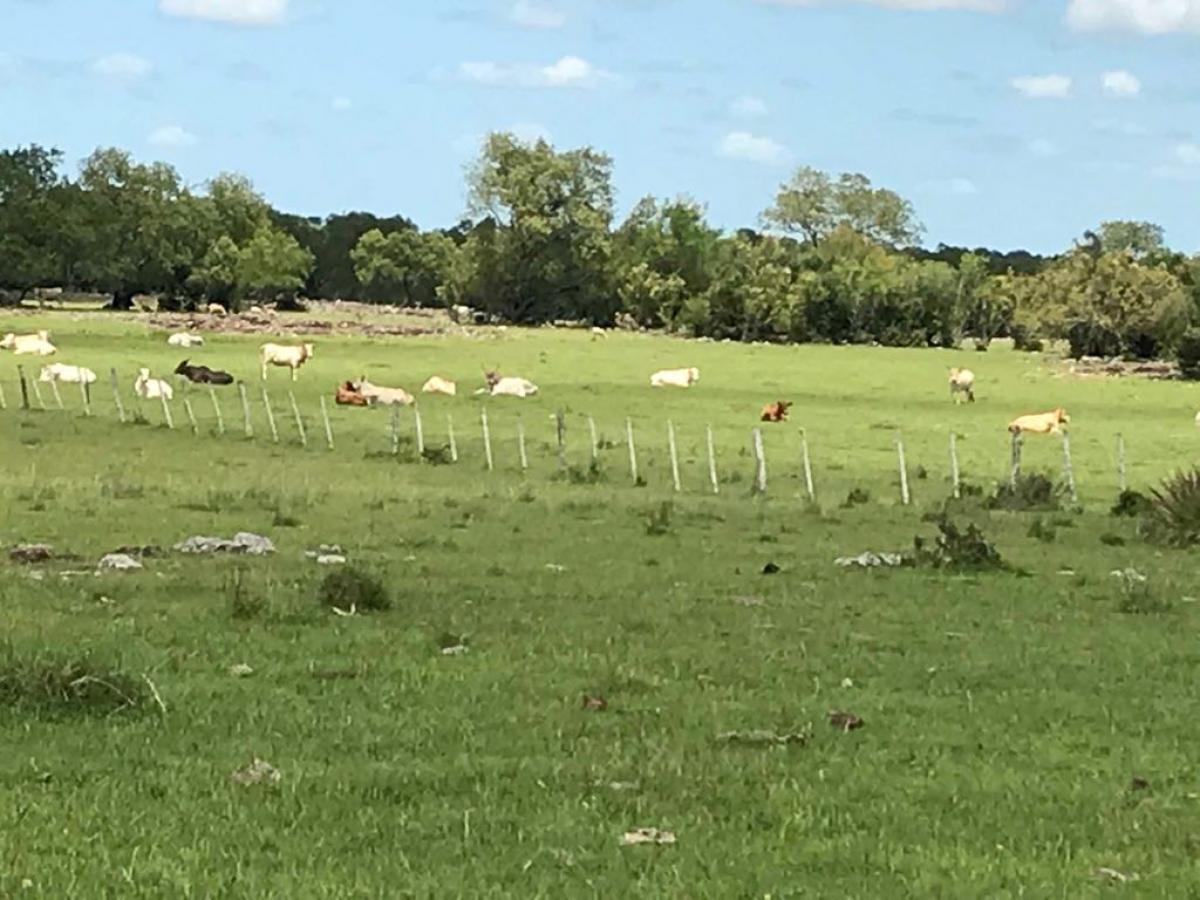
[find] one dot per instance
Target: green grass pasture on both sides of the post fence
(1007, 716)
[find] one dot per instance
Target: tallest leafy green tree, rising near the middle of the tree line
(548, 255)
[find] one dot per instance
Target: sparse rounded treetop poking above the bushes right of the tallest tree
(813, 205)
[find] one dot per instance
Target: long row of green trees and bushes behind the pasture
(835, 259)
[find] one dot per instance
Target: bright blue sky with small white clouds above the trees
(1007, 123)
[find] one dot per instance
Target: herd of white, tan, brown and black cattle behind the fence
(363, 393)
